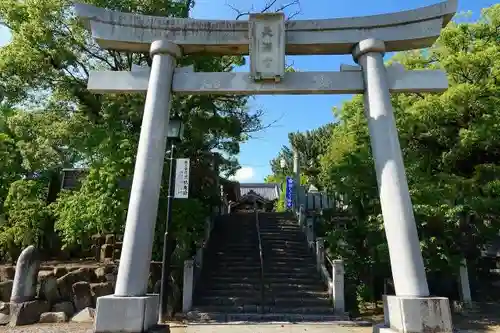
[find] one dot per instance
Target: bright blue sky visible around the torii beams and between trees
(299, 113)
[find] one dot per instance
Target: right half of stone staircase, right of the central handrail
(290, 273)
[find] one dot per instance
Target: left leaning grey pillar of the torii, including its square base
(131, 309)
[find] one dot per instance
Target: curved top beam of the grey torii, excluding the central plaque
(405, 30)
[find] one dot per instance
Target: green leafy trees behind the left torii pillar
(56, 123)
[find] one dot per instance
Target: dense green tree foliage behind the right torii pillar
(450, 148)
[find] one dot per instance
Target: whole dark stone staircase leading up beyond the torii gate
(232, 287)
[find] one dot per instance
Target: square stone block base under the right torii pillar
(415, 315)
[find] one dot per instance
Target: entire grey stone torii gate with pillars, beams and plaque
(268, 38)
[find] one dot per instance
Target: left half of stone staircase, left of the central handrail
(230, 282)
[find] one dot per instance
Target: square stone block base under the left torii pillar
(126, 314)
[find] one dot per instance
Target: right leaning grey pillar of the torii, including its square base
(411, 310)
